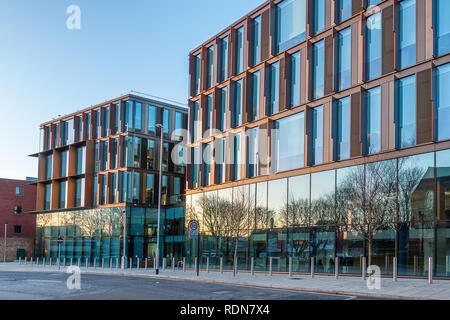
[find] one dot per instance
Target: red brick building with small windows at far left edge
(17, 197)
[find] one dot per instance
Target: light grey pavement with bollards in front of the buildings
(405, 289)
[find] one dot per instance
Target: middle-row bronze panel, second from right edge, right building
(387, 41)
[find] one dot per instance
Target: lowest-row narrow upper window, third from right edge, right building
(373, 121)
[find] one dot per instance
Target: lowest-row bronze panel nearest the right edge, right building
(424, 107)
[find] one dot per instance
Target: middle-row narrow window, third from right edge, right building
(373, 46)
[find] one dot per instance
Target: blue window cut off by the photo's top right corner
(442, 27)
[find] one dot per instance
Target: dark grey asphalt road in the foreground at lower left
(52, 286)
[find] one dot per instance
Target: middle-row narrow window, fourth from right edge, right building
(343, 65)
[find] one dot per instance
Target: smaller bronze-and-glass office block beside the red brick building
(101, 164)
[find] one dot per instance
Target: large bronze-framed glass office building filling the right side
(332, 137)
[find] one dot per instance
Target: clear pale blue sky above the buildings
(47, 70)
